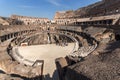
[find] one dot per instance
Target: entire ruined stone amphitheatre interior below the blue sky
(76, 45)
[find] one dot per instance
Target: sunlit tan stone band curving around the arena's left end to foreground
(14, 66)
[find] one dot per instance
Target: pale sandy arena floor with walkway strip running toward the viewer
(48, 53)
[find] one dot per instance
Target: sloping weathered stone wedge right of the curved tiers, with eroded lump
(103, 35)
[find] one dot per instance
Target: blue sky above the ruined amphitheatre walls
(40, 8)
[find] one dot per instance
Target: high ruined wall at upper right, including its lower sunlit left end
(105, 7)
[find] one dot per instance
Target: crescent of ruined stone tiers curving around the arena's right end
(87, 44)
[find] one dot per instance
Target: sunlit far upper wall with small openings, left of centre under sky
(31, 20)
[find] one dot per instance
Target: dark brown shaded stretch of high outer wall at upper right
(100, 8)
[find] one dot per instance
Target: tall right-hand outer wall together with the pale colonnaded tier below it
(100, 13)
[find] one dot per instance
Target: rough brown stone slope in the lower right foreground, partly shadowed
(105, 66)
